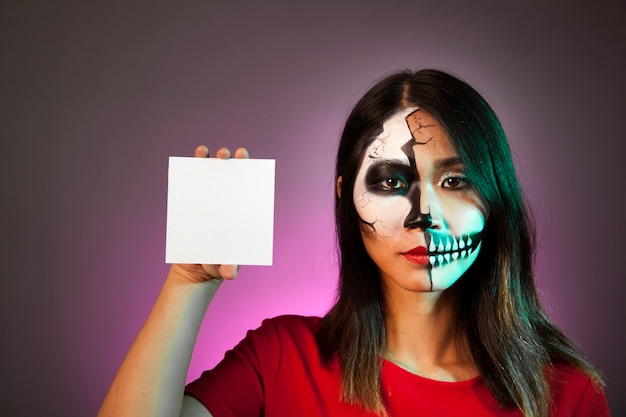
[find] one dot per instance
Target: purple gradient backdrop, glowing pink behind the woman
(94, 98)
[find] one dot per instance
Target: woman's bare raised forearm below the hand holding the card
(151, 379)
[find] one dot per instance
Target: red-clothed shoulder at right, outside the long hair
(575, 391)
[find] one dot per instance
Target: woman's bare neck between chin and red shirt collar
(423, 338)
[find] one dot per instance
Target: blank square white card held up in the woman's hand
(220, 211)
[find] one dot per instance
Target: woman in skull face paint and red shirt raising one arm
(437, 313)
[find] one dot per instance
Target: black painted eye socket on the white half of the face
(389, 178)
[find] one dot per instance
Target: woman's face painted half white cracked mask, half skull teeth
(421, 220)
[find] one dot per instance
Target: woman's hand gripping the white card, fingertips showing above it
(203, 273)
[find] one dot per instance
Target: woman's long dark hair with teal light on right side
(510, 337)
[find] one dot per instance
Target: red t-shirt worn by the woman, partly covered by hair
(276, 372)
